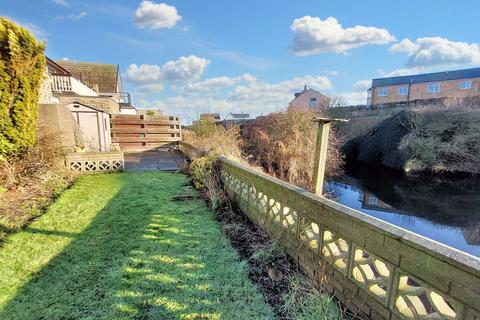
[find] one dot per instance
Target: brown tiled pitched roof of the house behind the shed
(104, 75)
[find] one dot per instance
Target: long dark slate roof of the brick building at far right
(428, 77)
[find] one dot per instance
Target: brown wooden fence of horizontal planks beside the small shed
(141, 132)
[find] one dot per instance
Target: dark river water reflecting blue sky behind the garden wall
(445, 210)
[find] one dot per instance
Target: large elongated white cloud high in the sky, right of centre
(314, 36)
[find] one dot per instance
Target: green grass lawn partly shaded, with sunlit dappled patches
(116, 246)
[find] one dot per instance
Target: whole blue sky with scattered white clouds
(197, 56)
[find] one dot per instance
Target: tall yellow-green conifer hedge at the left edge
(22, 64)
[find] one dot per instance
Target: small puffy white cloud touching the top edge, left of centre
(156, 15)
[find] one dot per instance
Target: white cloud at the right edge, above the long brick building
(437, 51)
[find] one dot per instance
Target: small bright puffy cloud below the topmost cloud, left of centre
(185, 68)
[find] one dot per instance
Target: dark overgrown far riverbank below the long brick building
(431, 139)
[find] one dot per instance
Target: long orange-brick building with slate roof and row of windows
(424, 88)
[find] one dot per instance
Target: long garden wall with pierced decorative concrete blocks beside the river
(375, 268)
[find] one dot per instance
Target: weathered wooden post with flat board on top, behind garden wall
(321, 150)
